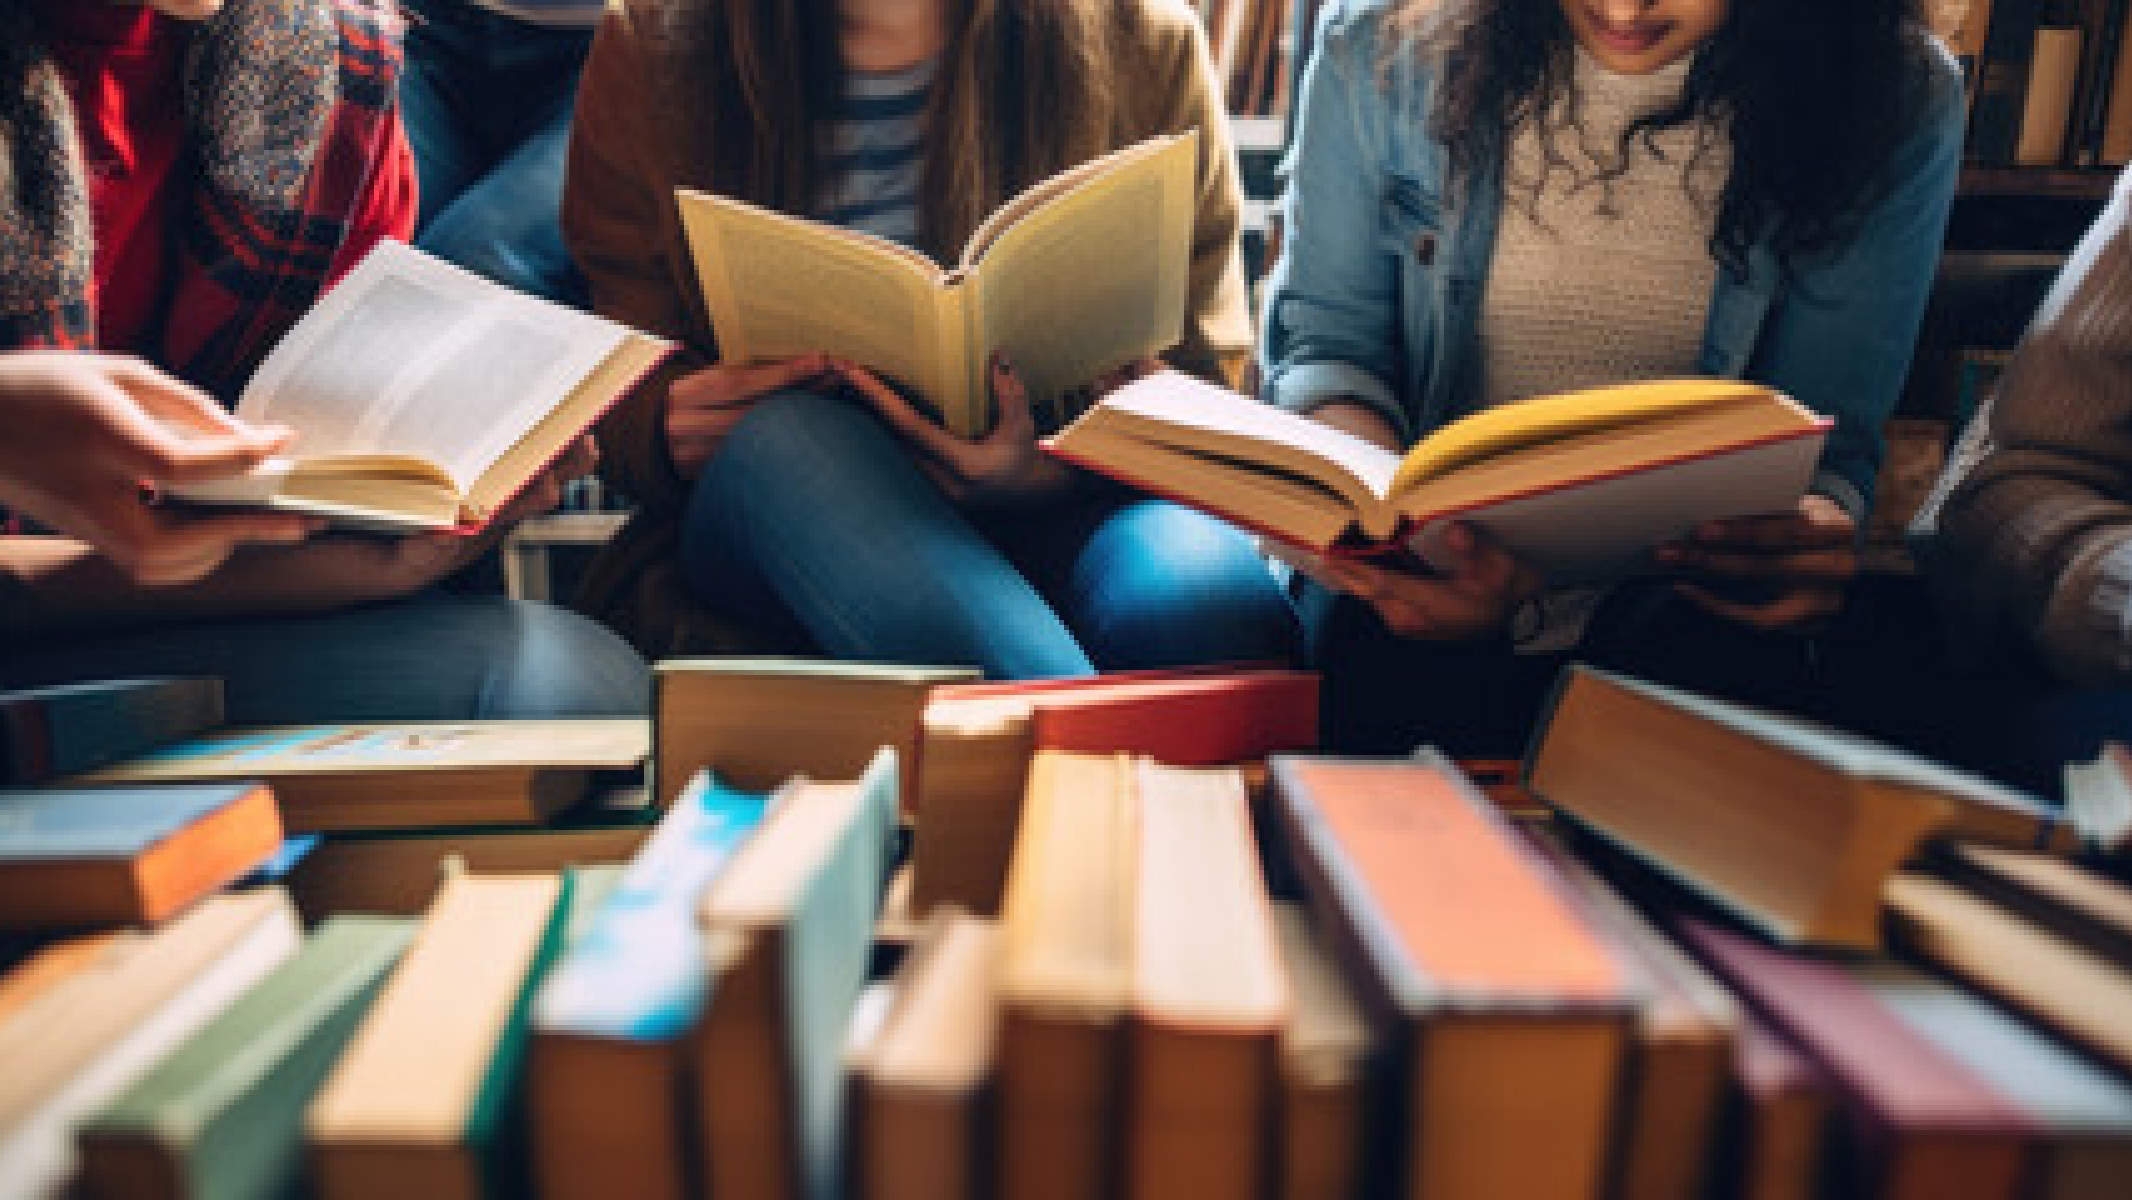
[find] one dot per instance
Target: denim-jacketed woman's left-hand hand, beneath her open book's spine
(1474, 591)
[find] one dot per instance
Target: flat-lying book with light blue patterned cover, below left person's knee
(406, 775)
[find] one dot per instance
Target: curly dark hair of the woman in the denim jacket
(1815, 97)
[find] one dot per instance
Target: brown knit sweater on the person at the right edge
(2031, 528)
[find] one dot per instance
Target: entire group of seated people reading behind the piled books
(1485, 199)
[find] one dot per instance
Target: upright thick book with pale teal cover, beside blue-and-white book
(790, 928)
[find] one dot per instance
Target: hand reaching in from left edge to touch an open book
(91, 429)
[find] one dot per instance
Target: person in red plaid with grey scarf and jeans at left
(182, 180)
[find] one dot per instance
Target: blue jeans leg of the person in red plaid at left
(432, 658)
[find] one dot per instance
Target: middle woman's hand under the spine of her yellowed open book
(997, 470)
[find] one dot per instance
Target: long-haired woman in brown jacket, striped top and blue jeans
(805, 498)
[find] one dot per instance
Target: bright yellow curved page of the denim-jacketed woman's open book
(1568, 415)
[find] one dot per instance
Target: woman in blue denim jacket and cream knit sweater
(1498, 199)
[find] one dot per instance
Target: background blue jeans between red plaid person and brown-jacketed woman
(487, 103)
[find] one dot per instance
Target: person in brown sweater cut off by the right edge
(2029, 538)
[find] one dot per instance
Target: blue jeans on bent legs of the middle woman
(815, 519)
